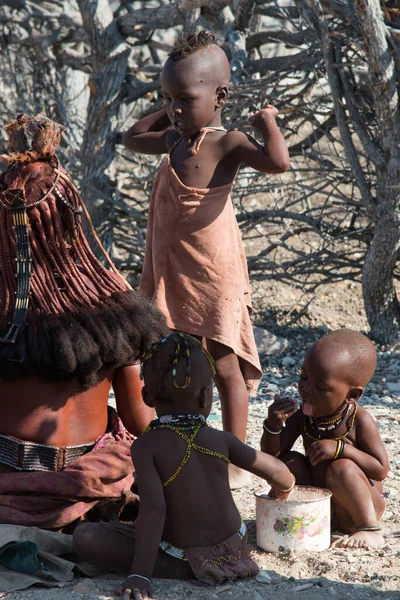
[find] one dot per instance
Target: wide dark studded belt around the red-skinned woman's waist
(29, 456)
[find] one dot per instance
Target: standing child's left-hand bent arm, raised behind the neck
(150, 134)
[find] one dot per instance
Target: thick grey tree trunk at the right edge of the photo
(380, 299)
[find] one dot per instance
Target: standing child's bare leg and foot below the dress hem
(234, 401)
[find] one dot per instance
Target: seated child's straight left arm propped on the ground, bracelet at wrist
(151, 518)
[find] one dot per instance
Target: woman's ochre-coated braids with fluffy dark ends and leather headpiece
(63, 315)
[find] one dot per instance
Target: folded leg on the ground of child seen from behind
(113, 550)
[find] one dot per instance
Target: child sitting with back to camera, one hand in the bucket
(188, 523)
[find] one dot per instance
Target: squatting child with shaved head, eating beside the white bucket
(343, 449)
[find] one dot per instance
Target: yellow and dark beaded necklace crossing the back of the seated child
(179, 424)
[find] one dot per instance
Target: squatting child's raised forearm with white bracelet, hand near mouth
(280, 429)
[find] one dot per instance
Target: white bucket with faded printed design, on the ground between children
(303, 522)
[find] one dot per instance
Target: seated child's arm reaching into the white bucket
(267, 467)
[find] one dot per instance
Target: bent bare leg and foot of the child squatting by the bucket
(357, 501)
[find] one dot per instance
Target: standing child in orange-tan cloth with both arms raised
(195, 268)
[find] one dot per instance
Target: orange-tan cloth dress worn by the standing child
(195, 268)
